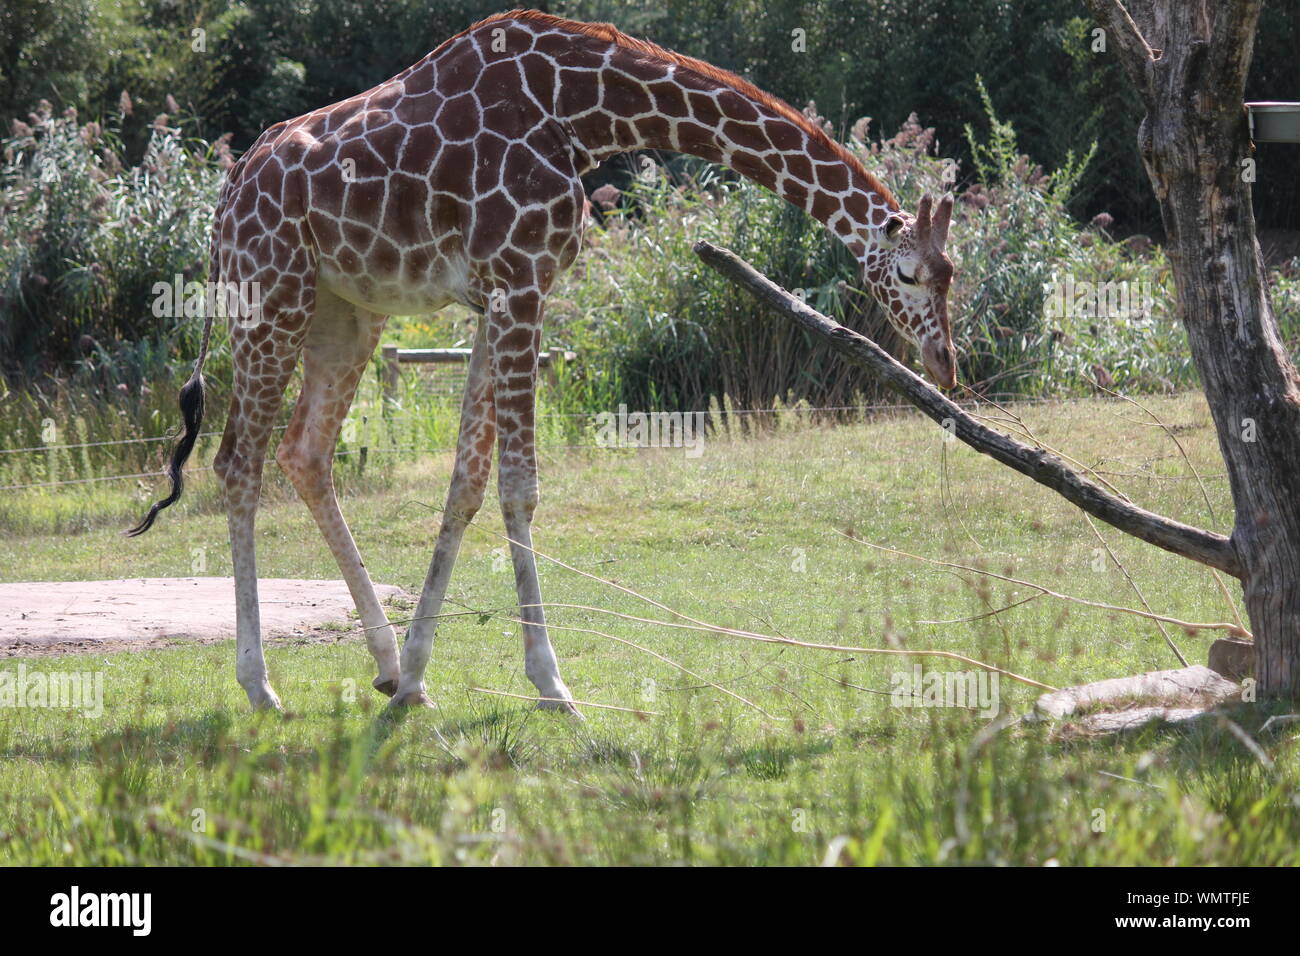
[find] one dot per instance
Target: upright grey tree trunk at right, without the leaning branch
(1195, 145)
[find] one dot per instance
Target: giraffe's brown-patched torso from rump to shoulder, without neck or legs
(431, 188)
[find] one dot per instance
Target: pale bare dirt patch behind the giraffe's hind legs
(45, 618)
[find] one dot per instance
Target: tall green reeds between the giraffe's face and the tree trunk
(1016, 241)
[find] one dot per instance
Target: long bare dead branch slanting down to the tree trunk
(1204, 547)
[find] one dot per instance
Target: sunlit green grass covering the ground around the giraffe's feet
(177, 772)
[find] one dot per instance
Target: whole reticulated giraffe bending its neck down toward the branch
(458, 181)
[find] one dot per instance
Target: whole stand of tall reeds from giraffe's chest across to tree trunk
(657, 330)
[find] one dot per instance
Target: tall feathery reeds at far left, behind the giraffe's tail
(84, 241)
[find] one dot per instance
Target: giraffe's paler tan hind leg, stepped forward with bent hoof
(336, 353)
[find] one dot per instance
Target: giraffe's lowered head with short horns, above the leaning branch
(909, 275)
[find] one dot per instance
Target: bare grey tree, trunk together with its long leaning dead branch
(1189, 60)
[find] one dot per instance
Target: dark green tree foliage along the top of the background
(267, 60)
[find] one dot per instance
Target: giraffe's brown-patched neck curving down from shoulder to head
(639, 101)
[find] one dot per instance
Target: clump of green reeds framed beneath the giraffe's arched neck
(657, 330)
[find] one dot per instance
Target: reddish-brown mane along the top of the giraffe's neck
(609, 33)
